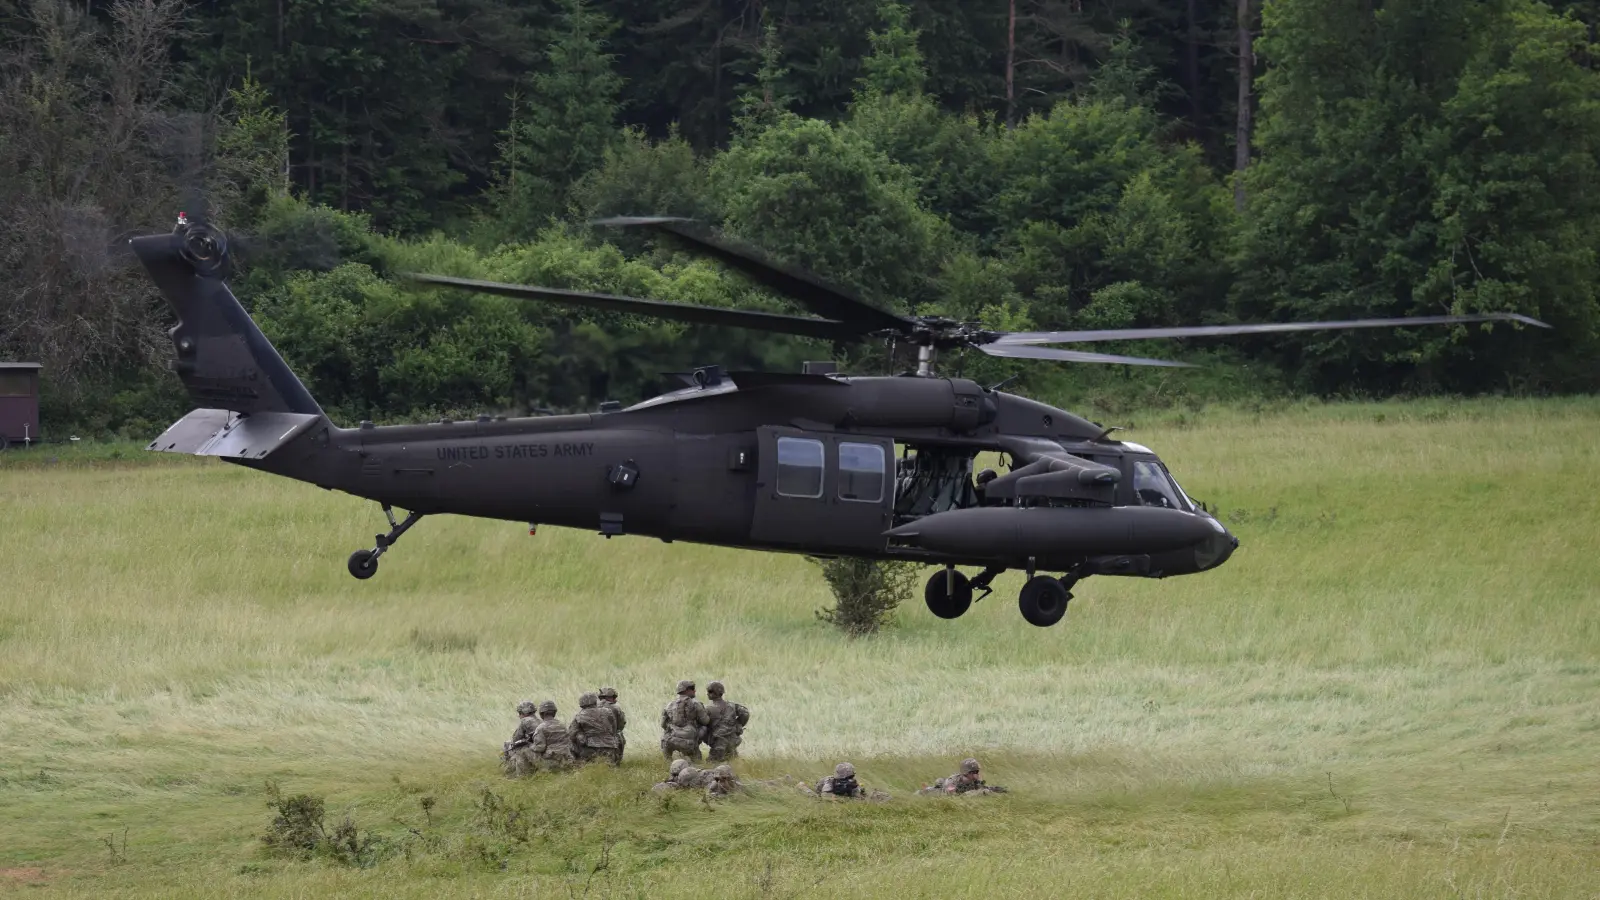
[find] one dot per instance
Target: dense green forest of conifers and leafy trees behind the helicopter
(1025, 164)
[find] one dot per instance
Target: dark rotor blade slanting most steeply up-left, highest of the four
(804, 287)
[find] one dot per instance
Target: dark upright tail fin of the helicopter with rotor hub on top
(223, 358)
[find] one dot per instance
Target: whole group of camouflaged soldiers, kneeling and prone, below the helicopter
(542, 742)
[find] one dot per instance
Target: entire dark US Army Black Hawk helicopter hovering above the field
(778, 462)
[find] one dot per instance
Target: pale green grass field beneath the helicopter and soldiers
(1391, 691)
